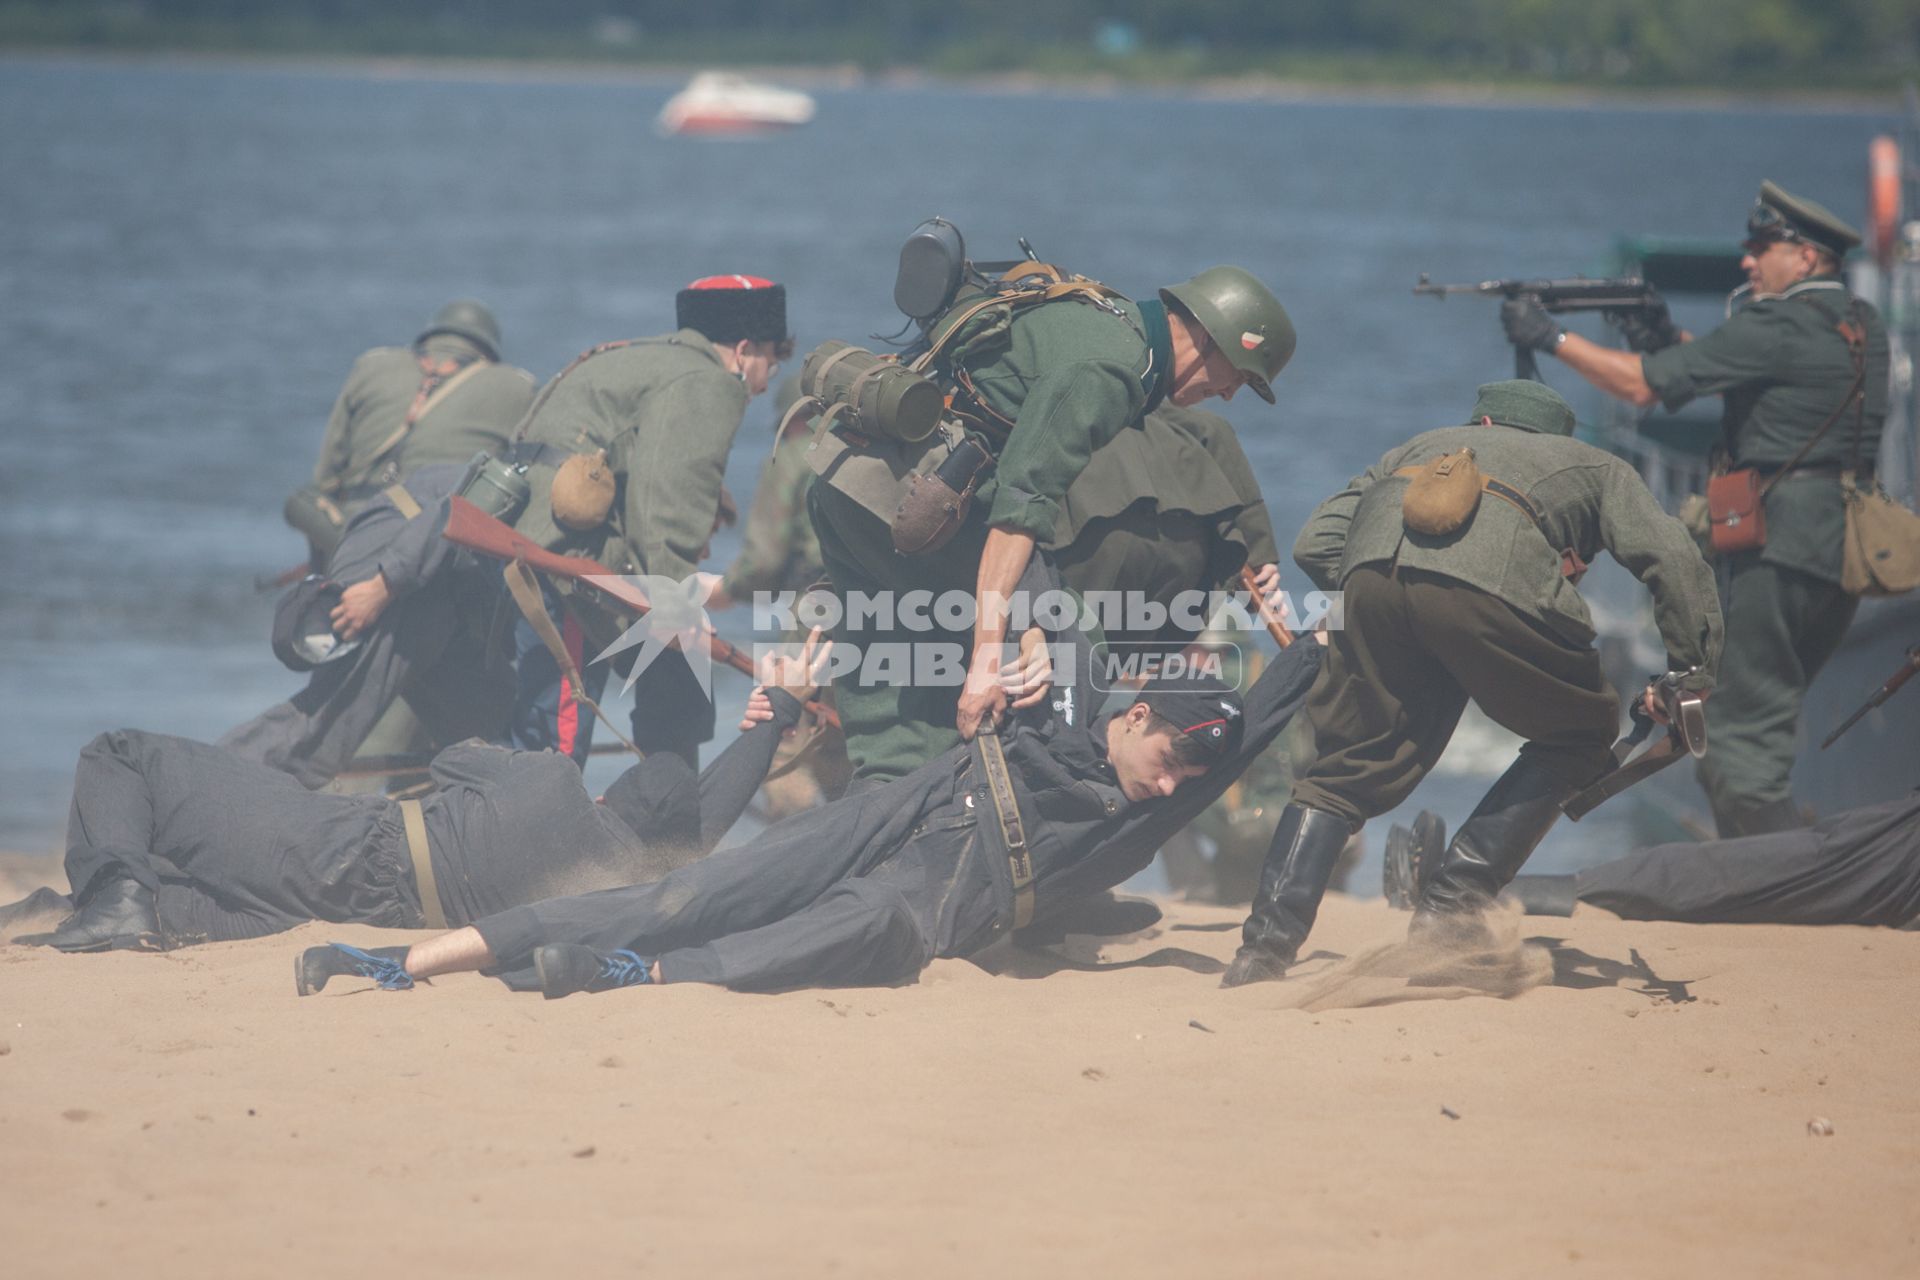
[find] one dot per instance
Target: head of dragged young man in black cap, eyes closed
(1176, 730)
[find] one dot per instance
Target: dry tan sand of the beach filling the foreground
(1641, 1114)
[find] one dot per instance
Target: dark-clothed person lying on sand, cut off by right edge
(1856, 868)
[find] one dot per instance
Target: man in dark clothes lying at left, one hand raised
(176, 841)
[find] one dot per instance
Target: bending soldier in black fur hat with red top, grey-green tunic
(663, 414)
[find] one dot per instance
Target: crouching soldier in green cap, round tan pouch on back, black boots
(1487, 613)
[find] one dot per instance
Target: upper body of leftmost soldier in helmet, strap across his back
(443, 400)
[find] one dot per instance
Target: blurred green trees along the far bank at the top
(1815, 43)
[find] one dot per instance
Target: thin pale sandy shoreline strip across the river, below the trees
(1259, 87)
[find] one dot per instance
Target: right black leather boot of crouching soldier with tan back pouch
(1493, 843)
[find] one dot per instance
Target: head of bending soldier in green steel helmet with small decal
(1230, 331)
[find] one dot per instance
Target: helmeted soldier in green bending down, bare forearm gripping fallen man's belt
(1038, 379)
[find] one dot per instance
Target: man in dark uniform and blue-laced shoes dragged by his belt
(873, 888)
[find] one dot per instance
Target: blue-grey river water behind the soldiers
(193, 256)
